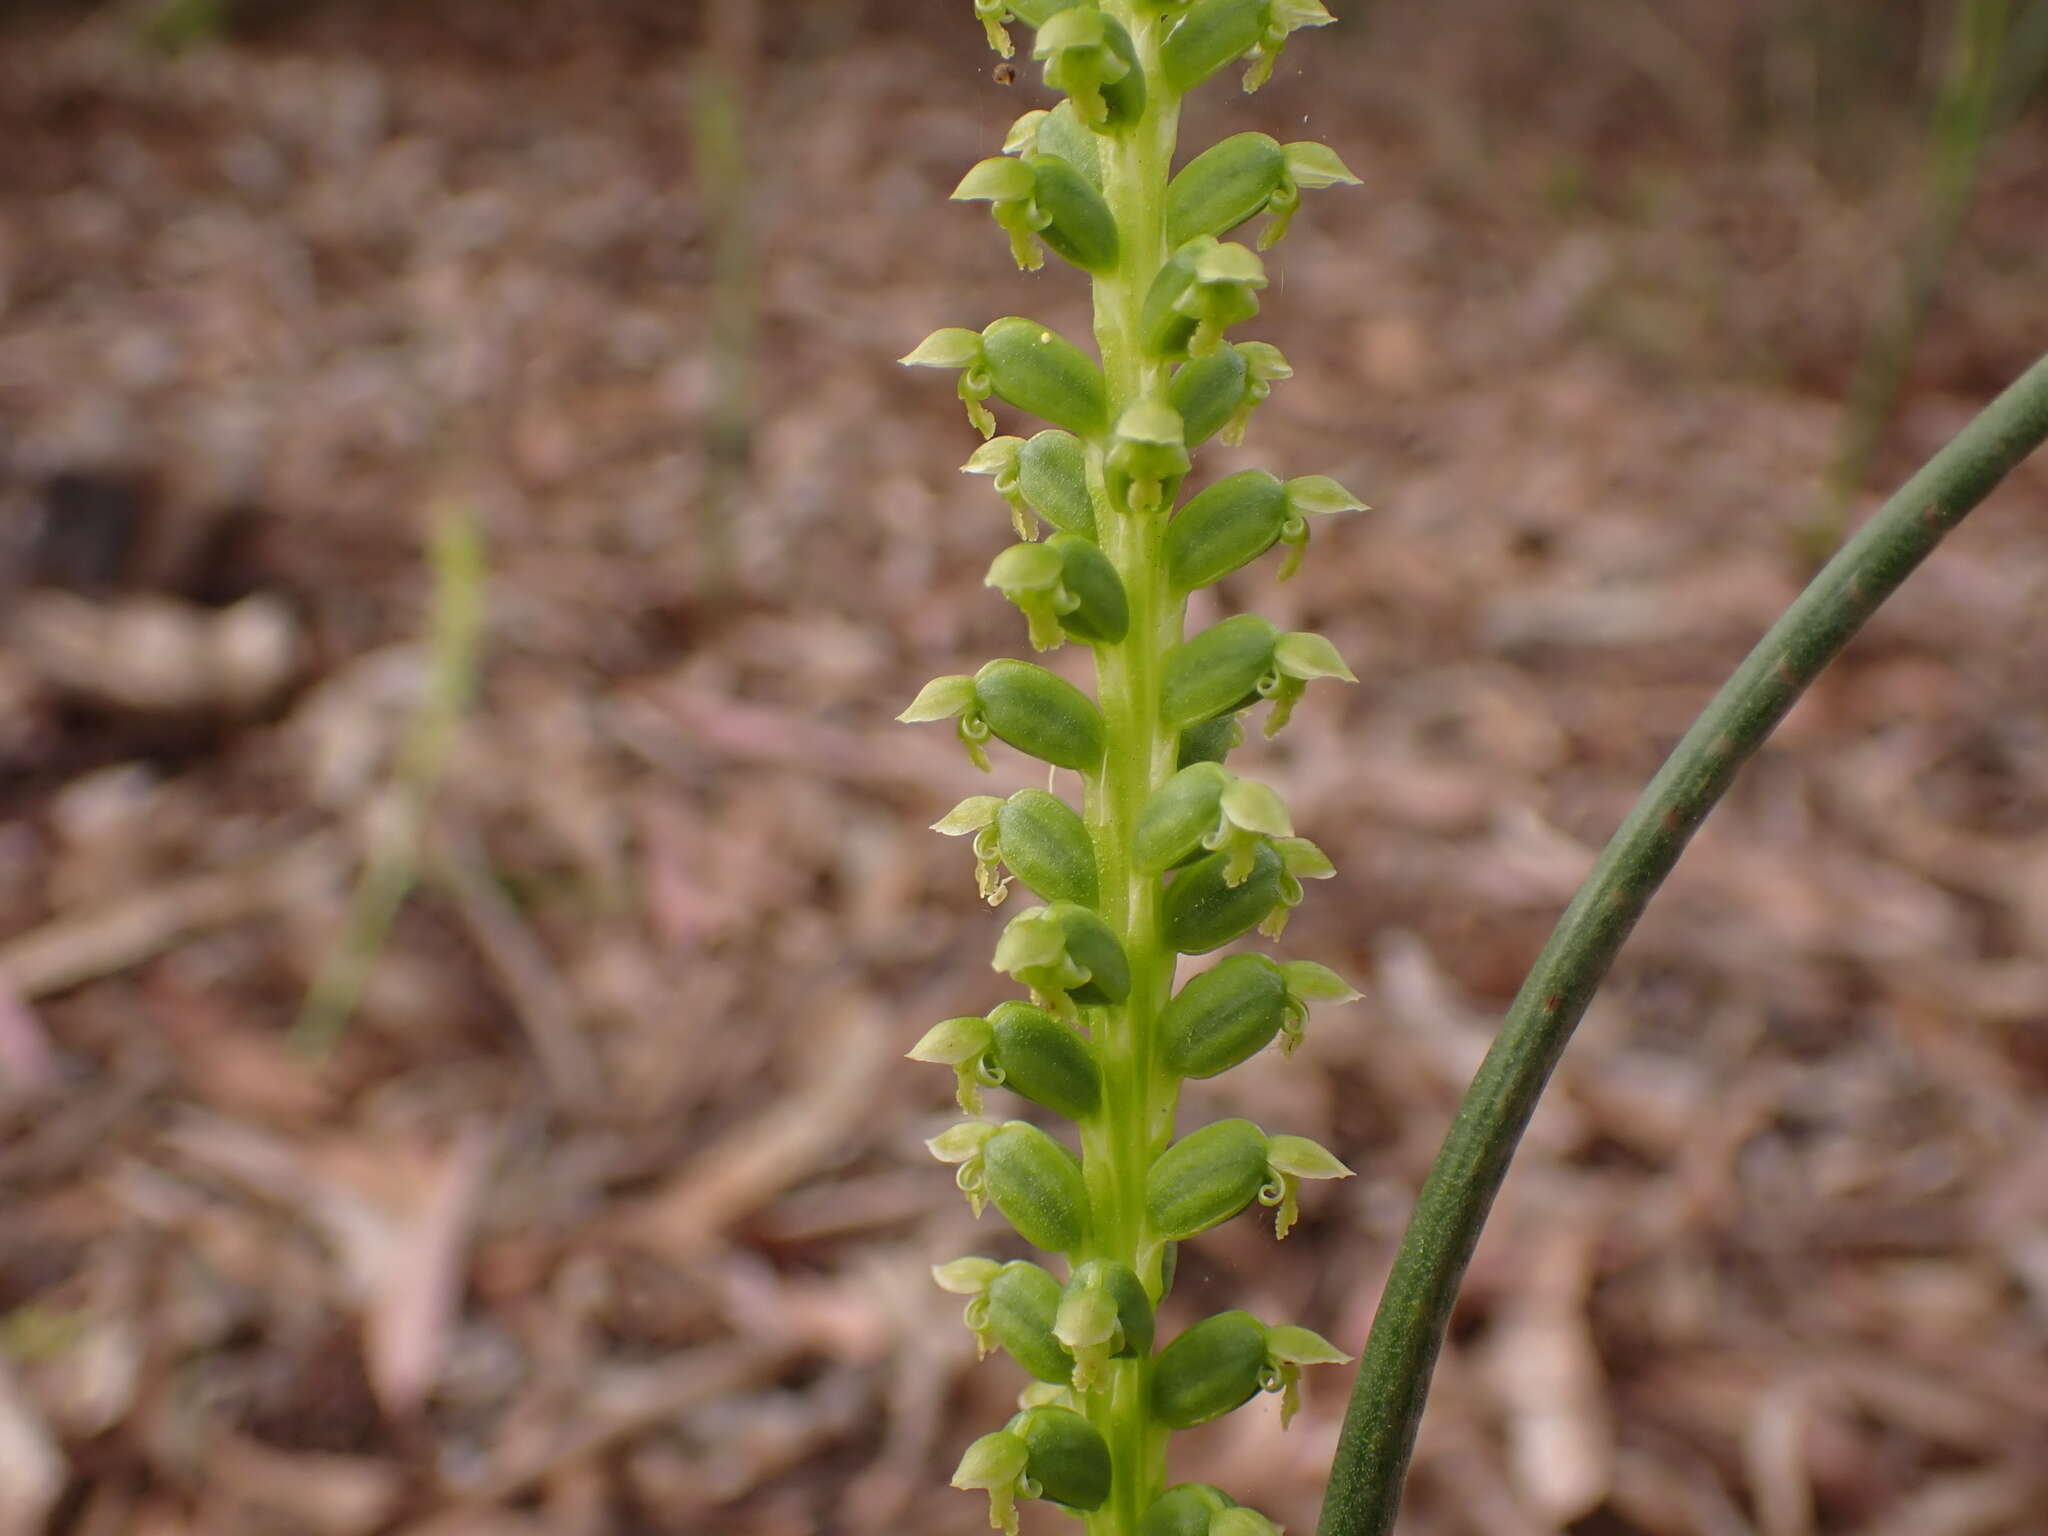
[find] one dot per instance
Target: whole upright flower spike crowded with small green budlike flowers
(1168, 851)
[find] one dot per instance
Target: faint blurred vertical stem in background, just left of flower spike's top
(720, 163)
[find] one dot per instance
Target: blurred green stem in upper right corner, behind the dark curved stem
(1994, 65)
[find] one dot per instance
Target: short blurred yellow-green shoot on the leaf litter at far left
(400, 816)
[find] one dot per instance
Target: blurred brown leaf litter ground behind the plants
(607, 1209)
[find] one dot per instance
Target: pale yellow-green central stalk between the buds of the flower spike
(1140, 1097)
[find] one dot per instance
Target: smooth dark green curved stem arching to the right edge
(1394, 1381)
